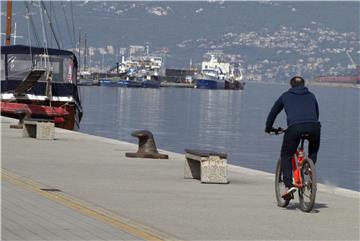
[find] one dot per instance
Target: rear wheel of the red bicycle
(307, 194)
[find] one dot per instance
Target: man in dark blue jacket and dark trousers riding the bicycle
(302, 115)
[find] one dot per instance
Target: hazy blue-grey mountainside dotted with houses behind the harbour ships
(271, 40)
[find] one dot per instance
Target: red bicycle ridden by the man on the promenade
(304, 177)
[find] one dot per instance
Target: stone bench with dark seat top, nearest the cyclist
(208, 166)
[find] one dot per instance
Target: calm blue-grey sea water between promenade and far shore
(228, 121)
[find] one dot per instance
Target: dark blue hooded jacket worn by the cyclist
(300, 106)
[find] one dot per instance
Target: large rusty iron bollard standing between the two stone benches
(147, 146)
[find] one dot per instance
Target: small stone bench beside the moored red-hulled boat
(43, 129)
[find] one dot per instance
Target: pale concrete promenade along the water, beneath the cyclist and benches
(82, 187)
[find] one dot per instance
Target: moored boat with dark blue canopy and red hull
(40, 81)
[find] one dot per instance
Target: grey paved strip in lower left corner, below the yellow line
(26, 215)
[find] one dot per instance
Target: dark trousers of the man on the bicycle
(290, 143)
